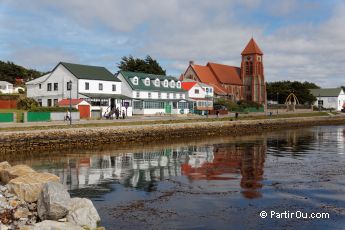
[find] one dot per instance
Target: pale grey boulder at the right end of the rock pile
(83, 213)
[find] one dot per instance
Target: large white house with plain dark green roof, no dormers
(95, 84)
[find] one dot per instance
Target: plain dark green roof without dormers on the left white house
(89, 72)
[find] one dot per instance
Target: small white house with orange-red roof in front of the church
(200, 94)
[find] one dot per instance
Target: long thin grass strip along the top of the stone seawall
(119, 123)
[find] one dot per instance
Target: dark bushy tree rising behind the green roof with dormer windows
(147, 65)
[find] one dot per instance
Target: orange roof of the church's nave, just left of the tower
(226, 74)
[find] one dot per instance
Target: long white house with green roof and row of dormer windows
(154, 94)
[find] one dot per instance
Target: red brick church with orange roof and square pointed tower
(244, 83)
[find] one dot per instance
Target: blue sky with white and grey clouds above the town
(302, 40)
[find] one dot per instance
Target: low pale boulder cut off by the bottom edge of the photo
(52, 225)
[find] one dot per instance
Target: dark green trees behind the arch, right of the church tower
(282, 89)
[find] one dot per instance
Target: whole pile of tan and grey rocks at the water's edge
(38, 201)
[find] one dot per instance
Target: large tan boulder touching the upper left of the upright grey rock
(29, 186)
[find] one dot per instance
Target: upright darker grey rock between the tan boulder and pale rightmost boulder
(53, 201)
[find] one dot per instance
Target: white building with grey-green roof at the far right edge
(329, 98)
